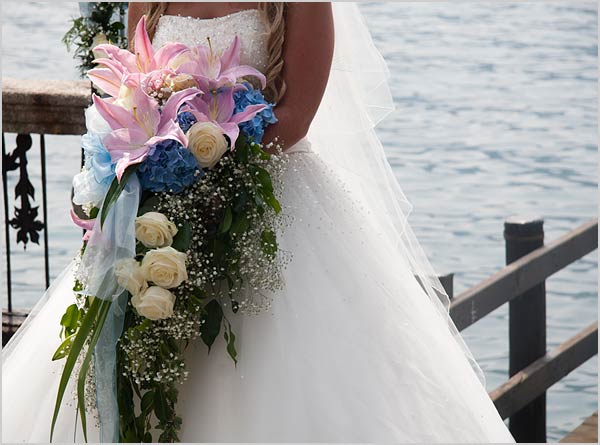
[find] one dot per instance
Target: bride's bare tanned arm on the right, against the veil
(307, 54)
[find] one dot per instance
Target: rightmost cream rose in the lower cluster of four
(165, 267)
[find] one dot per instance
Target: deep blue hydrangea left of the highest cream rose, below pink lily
(168, 167)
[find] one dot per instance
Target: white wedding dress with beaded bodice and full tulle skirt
(352, 350)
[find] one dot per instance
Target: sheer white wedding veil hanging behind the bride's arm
(356, 99)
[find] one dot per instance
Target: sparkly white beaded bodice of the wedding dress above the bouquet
(247, 25)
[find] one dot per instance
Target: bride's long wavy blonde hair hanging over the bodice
(274, 16)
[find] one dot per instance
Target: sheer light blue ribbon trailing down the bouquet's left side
(105, 247)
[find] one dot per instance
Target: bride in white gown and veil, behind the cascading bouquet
(359, 345)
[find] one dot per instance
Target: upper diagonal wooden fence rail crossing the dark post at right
(523, 274)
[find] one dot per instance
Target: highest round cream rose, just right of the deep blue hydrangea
(207, 143)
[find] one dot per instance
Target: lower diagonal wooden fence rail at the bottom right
(536, 378)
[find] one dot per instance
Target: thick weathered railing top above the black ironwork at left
(44, 106)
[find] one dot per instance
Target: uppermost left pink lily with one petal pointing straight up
(120, 62)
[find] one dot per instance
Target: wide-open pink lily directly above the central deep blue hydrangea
(135, 131)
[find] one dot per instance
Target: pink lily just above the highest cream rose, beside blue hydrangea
(218, 108)
